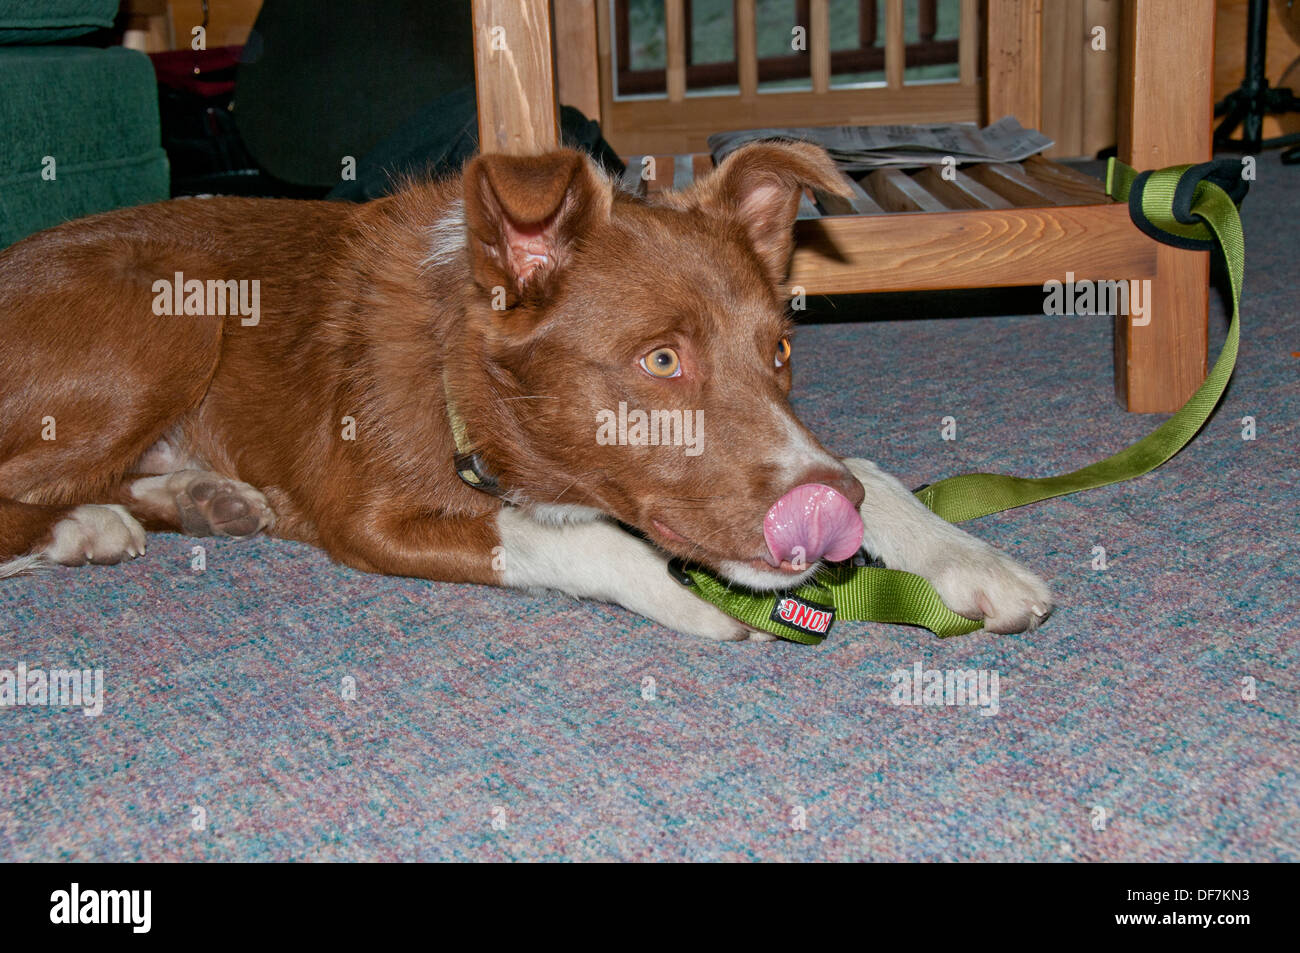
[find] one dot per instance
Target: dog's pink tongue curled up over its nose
(813, 522)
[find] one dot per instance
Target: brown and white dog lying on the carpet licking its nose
(233, 366)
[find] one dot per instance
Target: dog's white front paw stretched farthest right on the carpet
(981, 583)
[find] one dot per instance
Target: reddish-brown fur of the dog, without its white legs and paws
(363, 307)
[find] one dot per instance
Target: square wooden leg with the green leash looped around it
(1165, 119)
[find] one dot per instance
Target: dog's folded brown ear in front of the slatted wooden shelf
(761, 185)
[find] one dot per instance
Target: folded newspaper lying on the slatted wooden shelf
(860, 149)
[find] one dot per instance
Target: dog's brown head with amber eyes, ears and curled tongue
(638, 357)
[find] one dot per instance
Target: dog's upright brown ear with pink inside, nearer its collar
(525, 216)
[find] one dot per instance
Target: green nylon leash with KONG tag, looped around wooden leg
(1186, 206)
